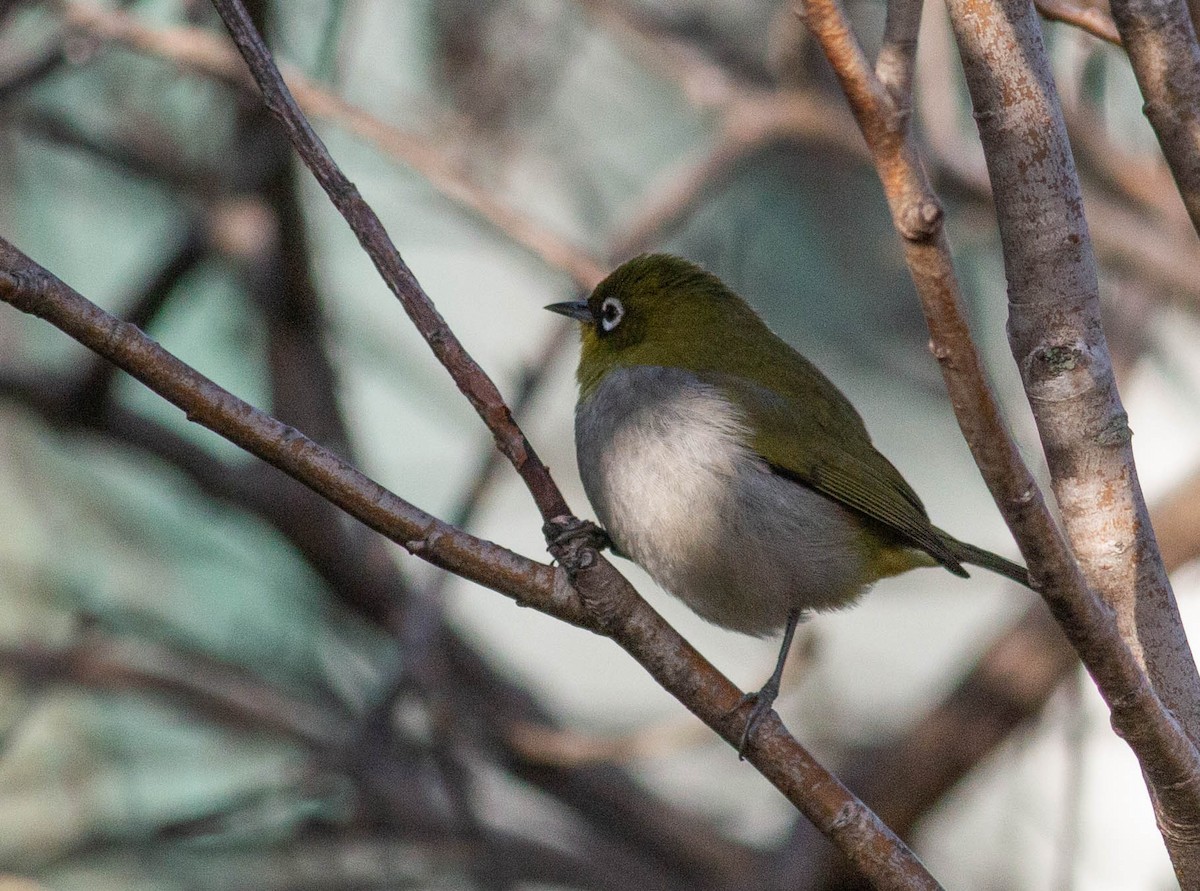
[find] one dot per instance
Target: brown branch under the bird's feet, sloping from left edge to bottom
(604, 602)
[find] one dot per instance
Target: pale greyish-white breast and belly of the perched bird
(667, 463)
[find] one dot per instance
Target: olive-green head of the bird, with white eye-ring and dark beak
(662, 310)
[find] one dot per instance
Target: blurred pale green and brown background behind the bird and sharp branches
(209, 679)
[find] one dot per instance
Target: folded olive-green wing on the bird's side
(813, 436)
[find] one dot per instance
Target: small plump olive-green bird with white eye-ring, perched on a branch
(730, 469)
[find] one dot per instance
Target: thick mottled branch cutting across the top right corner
(1162, 45)
